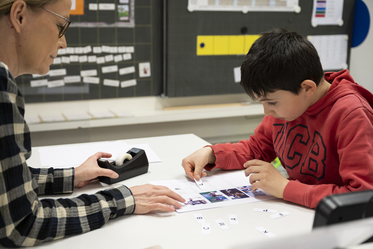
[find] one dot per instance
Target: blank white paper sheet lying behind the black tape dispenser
(64, 156)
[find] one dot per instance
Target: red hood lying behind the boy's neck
(342, 84)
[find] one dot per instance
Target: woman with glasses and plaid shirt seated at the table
(32, 31)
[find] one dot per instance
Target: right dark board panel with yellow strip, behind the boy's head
(189, 74)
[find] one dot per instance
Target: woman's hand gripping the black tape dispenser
(90, 170)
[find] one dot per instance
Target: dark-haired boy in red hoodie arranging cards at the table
(320, 126)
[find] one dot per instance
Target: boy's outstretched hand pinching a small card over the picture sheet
(194, 163)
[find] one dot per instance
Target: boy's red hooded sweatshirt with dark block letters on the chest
(327, 150)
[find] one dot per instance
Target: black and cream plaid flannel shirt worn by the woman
(26, 220)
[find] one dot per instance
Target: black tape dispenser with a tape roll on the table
(134, 163)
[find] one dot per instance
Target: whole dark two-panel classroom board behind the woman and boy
(133, 48)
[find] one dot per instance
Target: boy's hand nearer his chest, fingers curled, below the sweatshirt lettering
(265, 176)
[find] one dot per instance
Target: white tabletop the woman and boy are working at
(180, 230)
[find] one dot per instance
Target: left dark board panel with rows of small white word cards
(110, 43)
